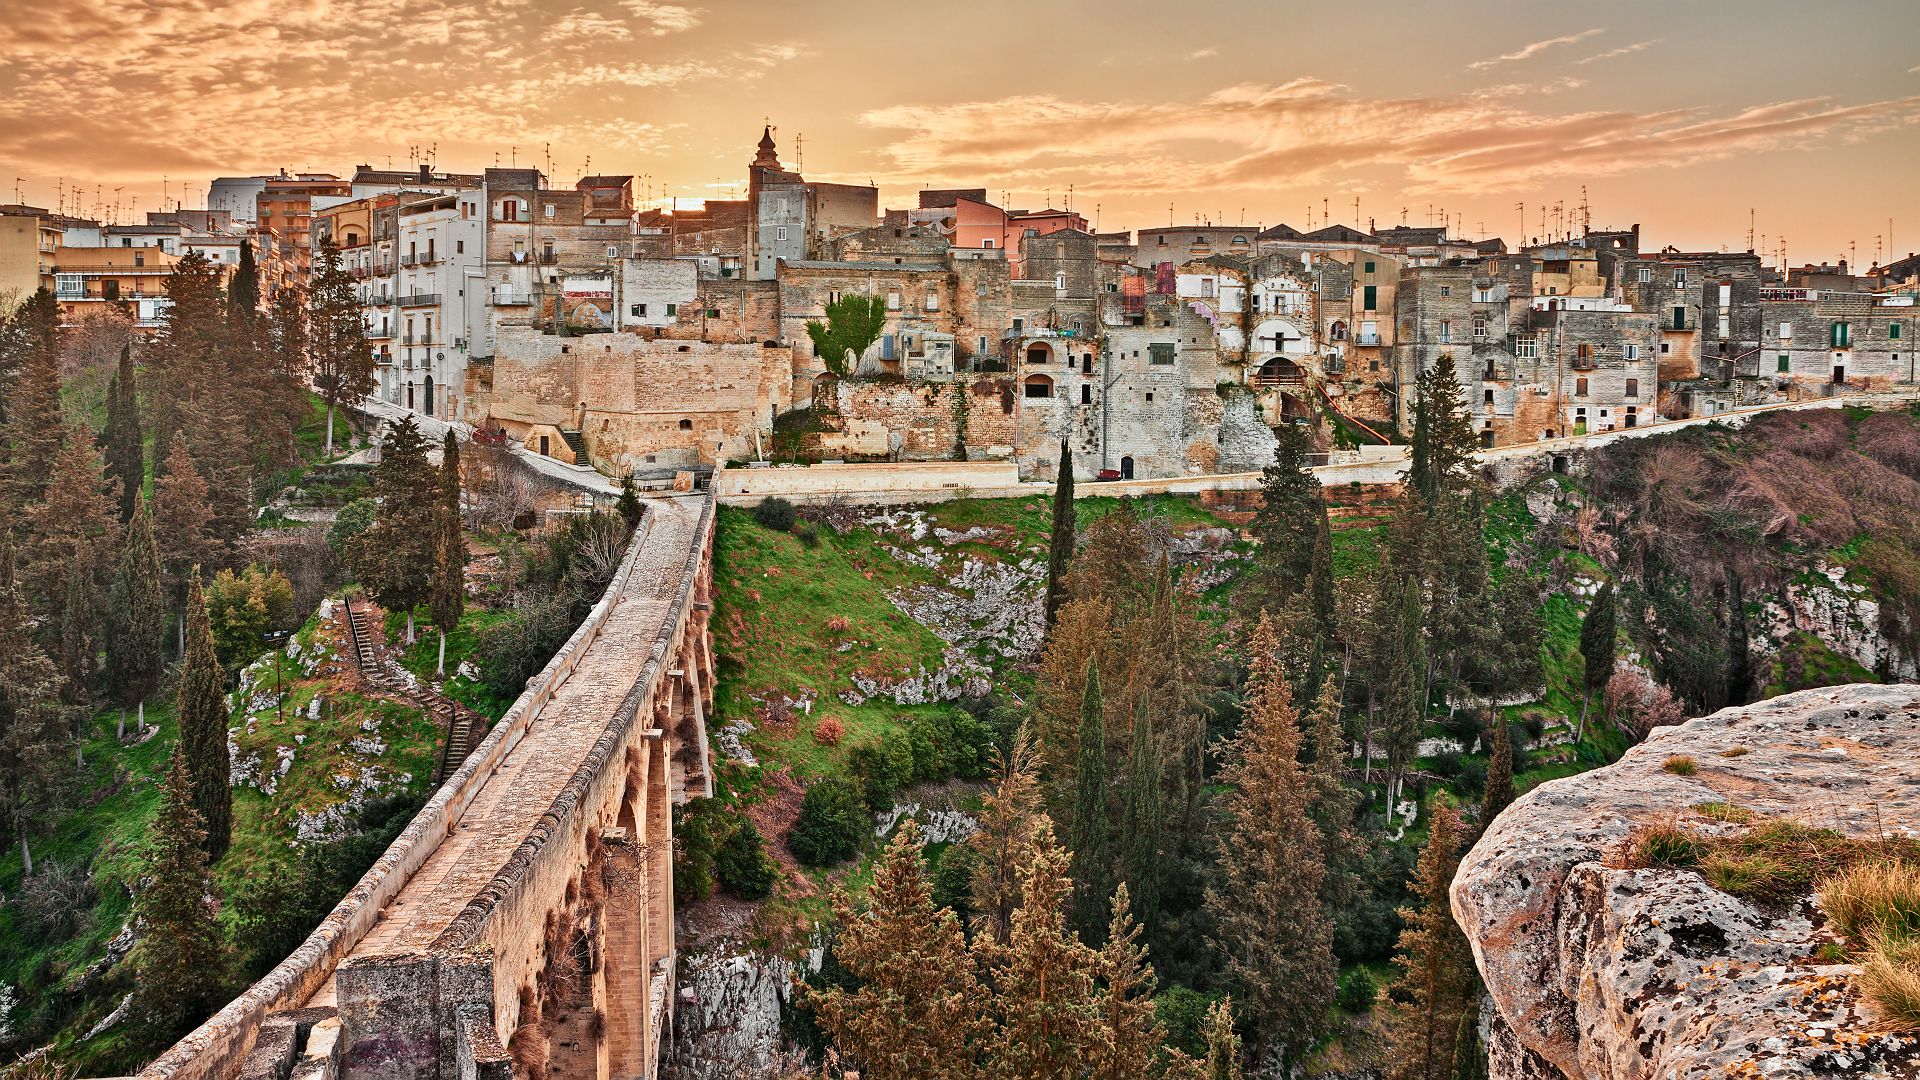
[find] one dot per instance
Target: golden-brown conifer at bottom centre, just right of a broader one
(1044, 977)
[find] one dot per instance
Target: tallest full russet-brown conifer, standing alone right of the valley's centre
(1270, 920)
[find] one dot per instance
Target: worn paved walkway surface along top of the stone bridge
(558, 741)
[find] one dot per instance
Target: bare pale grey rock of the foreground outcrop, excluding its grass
(1600, 971)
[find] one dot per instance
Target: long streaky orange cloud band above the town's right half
(1284, 135)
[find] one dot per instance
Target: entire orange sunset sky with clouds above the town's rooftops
(1677, 116)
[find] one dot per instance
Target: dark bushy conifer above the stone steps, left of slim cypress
(395, 558)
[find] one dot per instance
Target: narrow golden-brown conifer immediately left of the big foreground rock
(1431, 1006)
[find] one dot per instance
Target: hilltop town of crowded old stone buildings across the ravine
(650, 343)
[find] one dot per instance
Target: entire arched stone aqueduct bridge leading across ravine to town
(529, 912)
